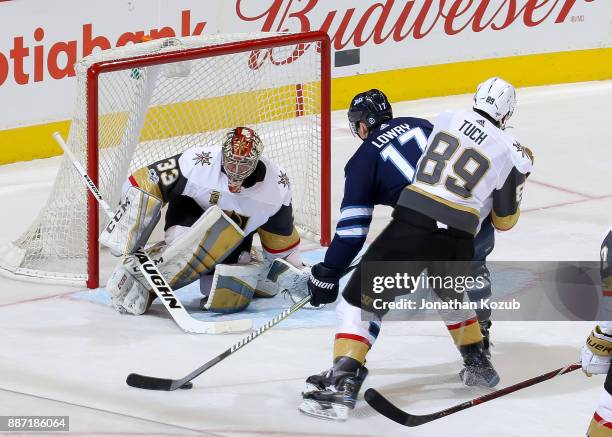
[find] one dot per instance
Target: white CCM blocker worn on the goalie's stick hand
(133, 222)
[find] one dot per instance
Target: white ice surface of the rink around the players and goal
(65, 352)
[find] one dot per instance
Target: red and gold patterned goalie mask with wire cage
(241, 149)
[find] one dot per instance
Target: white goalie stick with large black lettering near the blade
(156, 281)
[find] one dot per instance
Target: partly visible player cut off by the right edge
(597, 352)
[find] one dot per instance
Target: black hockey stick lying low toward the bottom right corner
(387, 409)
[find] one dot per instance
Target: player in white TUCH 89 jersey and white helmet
(471, 169)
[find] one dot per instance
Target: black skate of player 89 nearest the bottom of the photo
(330, 394)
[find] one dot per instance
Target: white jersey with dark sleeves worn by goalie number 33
(194, 180)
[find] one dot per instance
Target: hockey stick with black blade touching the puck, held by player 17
(154, 383)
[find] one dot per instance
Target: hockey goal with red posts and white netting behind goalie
(150, 101)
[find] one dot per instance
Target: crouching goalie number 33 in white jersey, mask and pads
(216, 198)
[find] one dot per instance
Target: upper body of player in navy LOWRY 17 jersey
(375, 175)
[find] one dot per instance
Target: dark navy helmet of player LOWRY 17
(371, 107)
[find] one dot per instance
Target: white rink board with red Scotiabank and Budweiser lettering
(41, 40)
